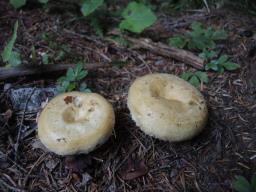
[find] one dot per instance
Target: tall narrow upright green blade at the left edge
(6, 54)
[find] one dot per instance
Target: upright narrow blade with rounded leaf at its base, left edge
(12, 58)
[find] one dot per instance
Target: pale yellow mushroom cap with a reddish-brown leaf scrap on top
(75, 122)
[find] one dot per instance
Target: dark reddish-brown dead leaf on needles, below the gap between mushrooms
(133, 168)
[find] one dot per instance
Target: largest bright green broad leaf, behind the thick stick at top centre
(137, 17)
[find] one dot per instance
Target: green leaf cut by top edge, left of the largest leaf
(89, 6)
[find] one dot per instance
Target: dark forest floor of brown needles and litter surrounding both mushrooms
(209, 162)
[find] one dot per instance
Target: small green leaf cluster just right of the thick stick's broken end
(221, 64)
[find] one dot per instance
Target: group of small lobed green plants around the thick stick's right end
(204, 40)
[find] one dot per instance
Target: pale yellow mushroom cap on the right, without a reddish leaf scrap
(167, 107)
